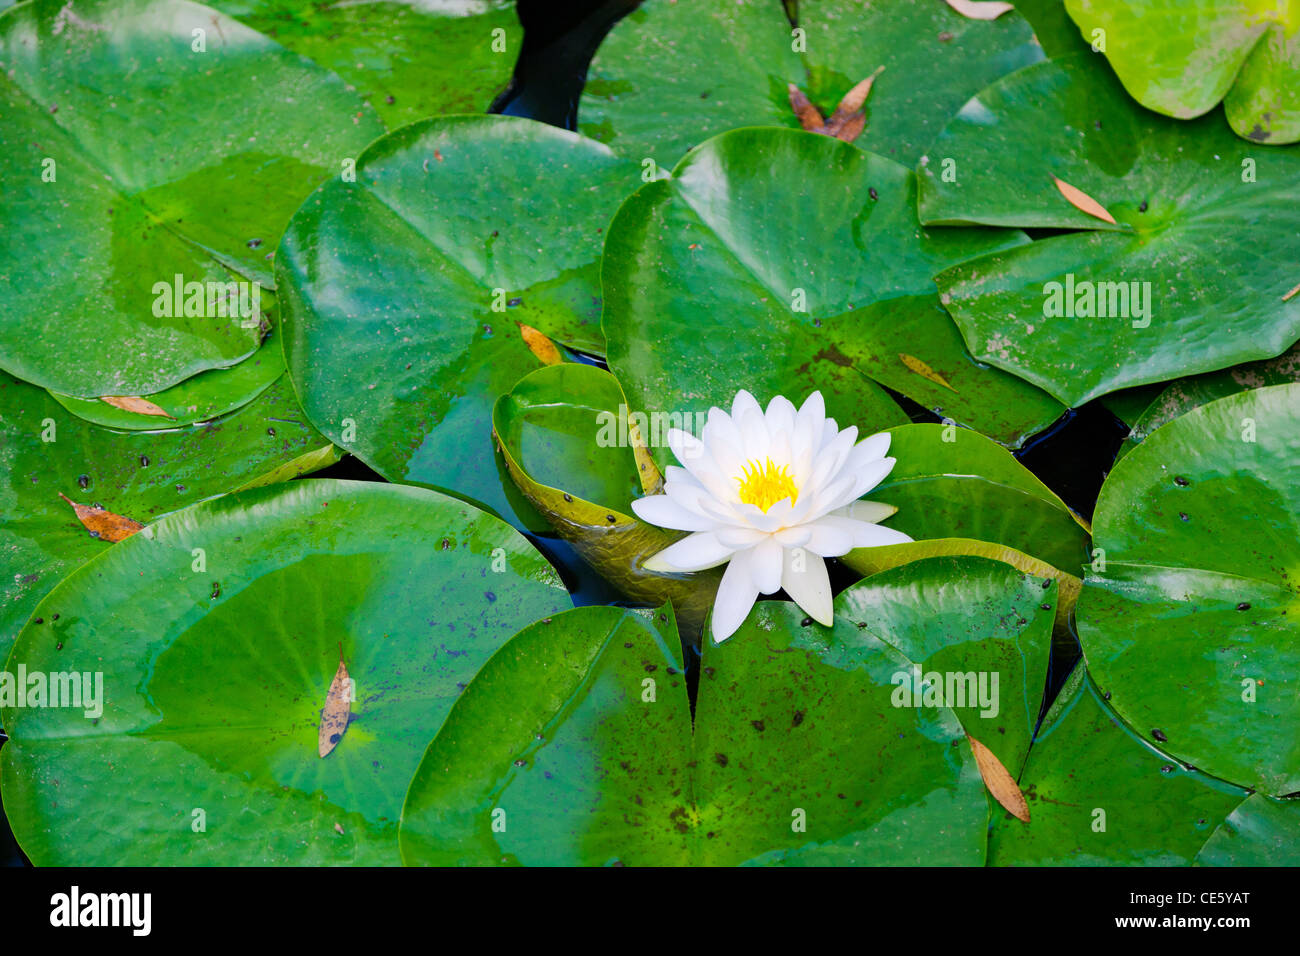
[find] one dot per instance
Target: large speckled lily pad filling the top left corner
(148, 140)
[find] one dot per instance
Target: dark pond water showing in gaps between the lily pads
(1072, 457)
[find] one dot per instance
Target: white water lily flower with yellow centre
(770, 495)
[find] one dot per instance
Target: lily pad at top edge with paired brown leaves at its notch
(661, 81)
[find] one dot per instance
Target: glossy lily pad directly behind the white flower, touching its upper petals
(785, 262)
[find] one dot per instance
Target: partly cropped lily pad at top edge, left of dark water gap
(409, 59)
